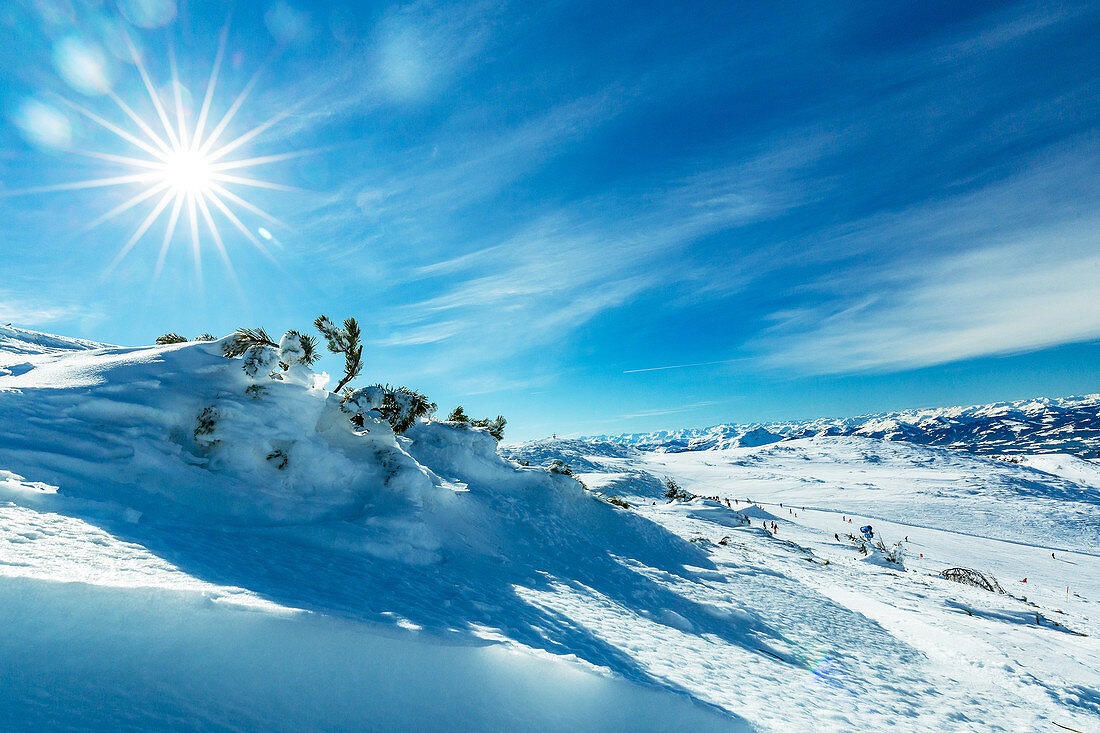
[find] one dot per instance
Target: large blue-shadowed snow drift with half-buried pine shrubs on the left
(244, 482)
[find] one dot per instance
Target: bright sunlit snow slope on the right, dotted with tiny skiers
(1035, 531)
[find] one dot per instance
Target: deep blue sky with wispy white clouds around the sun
(589, 217)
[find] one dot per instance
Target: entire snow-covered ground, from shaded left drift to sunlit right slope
(188, 546)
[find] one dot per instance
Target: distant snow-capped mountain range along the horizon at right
(1069, 425)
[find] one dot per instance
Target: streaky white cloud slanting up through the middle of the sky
(579, 262)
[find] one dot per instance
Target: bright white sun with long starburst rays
(182, 169)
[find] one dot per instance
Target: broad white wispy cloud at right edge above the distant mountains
(1010, 268)
